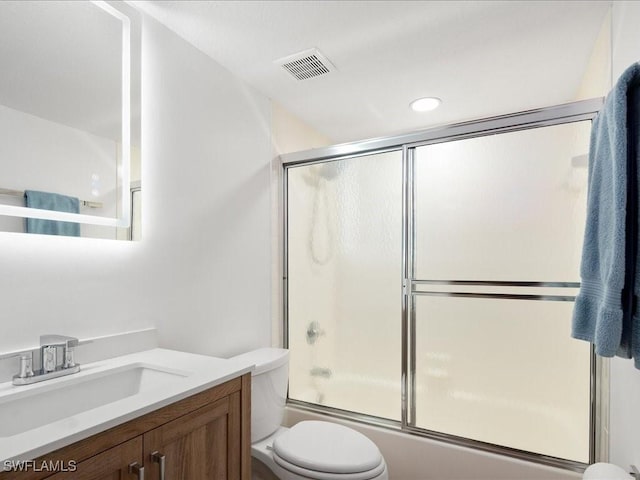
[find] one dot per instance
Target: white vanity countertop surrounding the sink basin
(196, 373)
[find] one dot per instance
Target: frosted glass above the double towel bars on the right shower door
(502, 207)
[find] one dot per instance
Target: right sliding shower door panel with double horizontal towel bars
(498, 223)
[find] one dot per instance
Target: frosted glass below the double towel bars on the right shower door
(503, 372)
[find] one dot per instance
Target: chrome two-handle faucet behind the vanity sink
(56, 360)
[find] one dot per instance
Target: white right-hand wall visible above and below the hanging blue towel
(625, 379)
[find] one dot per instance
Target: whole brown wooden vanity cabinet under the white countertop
(203, 437)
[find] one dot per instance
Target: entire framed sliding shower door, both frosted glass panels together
(429, 284)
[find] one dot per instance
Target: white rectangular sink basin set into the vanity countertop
(49, 402)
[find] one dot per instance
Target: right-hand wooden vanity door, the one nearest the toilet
(202, 445)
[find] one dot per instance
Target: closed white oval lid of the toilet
(327, 447)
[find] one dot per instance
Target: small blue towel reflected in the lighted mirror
(52, 201)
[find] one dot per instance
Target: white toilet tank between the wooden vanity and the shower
(269, 382)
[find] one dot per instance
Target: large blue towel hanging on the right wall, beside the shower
(604, 306)
